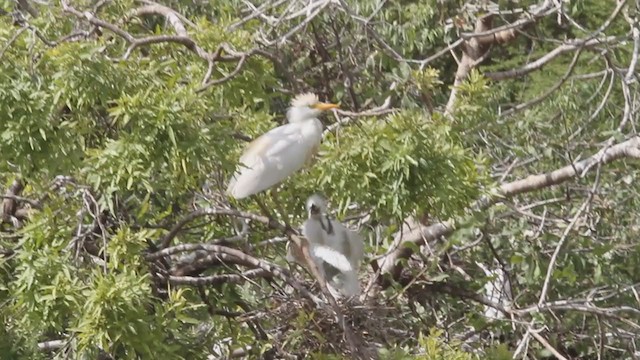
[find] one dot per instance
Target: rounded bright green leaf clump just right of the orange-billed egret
(406, 157)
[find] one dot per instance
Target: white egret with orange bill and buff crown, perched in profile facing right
(282, 151)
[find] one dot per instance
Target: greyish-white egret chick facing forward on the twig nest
(340, 266)
